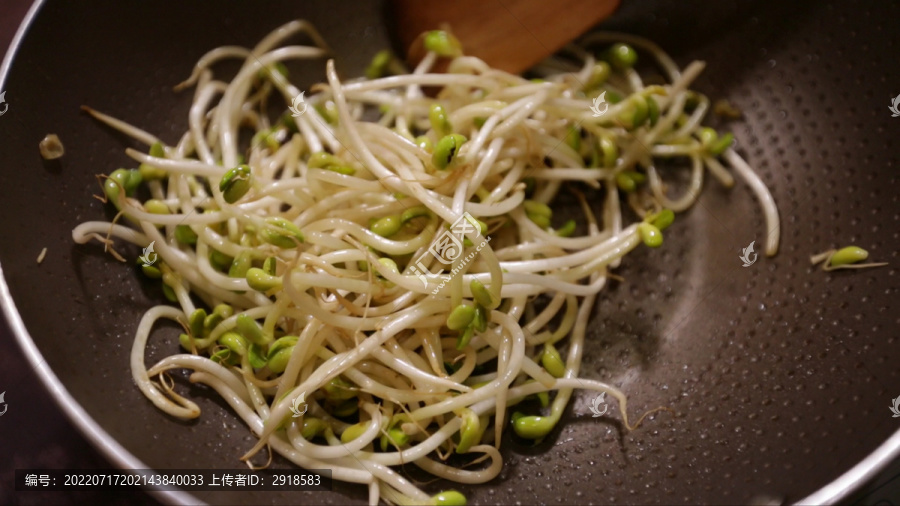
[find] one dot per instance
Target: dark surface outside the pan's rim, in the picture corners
(34, 433)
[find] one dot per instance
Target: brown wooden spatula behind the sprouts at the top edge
(512, 35)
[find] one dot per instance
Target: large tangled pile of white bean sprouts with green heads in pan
(306, 269)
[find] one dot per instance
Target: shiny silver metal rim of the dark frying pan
(830, 493)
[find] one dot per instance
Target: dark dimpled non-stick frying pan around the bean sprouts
(778, 375)
